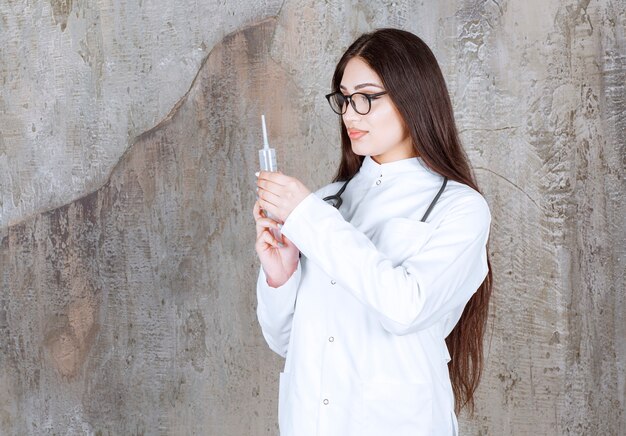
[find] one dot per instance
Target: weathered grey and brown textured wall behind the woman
(128, 137)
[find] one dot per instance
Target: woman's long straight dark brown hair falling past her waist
(414, 82)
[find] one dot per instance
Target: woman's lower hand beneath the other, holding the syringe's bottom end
(278, 262)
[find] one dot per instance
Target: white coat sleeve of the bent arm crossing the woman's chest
(440, 276)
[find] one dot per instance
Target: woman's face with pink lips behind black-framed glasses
(381, 132)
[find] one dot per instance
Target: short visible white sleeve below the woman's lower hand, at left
(275, 307)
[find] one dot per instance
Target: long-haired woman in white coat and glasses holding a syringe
(365, 289)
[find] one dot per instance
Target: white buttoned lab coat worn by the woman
(362, 321)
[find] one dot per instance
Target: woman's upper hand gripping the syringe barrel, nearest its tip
(280, 194)
